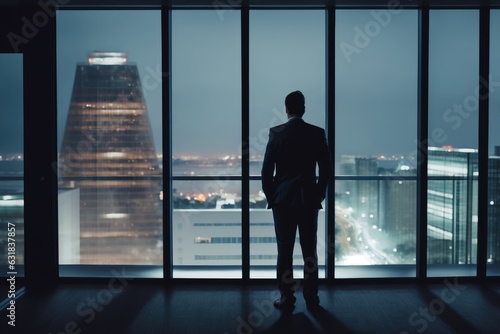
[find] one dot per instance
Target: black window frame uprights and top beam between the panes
(41, 239)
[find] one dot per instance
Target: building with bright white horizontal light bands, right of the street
(452, 206)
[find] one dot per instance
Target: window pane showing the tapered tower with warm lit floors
(109, 137)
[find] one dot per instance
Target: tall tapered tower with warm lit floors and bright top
(108, 154)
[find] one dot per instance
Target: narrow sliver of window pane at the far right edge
(493, 256)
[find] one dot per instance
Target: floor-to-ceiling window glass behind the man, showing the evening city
(110, 114)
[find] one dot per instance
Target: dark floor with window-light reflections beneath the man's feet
(129, 306)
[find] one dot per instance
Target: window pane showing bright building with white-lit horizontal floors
(452, 160)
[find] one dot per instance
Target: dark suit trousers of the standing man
(286, 221)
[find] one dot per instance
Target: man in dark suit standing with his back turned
(294, 194)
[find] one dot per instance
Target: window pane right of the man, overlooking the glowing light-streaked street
(376, 130)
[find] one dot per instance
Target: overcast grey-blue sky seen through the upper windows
(376, 75)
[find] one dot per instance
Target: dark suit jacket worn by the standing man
(293, 150)
